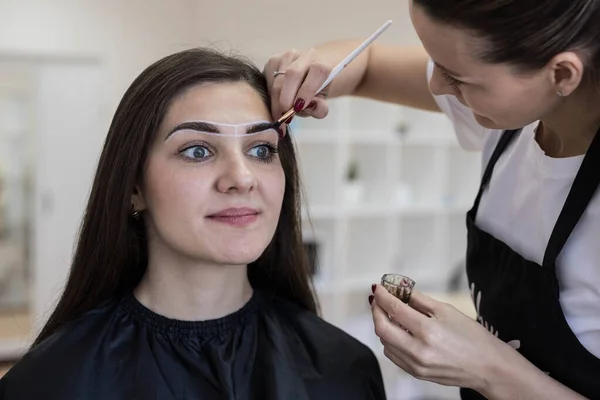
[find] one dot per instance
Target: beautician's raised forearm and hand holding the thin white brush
(389, 73)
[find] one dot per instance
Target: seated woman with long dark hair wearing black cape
(189, 280)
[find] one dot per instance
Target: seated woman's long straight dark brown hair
(111, 254)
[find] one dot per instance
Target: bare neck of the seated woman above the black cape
(189, 290)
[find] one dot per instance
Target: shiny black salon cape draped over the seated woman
(269, 349)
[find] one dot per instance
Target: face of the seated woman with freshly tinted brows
(211, 197)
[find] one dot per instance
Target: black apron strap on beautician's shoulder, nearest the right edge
(581, 193)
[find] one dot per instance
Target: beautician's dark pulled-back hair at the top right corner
(525, 33)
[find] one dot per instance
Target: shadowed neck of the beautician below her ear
(570, 128)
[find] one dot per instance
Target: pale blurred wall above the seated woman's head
(130, 34)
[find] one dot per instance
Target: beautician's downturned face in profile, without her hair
(498, 97)
